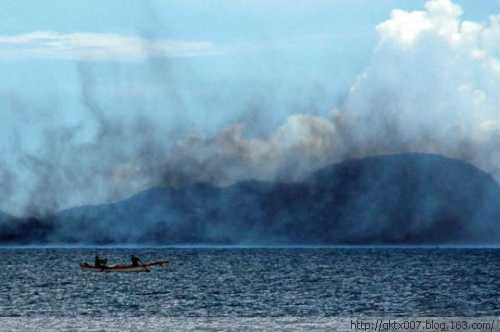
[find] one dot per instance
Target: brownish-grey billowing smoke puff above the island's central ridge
(289, 153)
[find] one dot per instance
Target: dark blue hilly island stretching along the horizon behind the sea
(390, 199)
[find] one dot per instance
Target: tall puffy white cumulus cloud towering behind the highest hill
(434, 78)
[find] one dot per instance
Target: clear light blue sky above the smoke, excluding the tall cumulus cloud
(296, 55)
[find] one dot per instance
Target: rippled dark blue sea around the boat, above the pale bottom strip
(253, 282)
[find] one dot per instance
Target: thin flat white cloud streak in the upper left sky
(97, 46)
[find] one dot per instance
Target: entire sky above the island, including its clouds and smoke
(99, 100)
